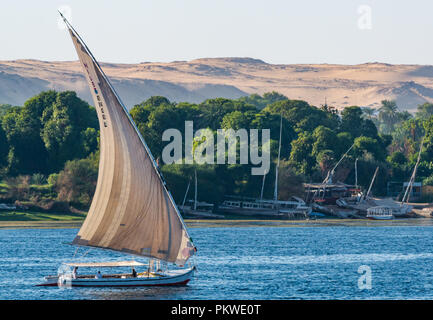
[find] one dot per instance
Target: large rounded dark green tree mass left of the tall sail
(48, 127)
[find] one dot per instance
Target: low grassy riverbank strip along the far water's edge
(192, 223)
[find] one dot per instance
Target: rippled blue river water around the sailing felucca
(245, 263)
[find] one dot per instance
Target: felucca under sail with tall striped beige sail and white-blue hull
(132, 211)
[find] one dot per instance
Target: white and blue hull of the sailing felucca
(171, 278)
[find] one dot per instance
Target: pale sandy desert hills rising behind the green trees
(341, 85)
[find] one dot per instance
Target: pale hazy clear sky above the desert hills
(276, 31)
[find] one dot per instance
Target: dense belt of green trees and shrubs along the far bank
(49, 146)
